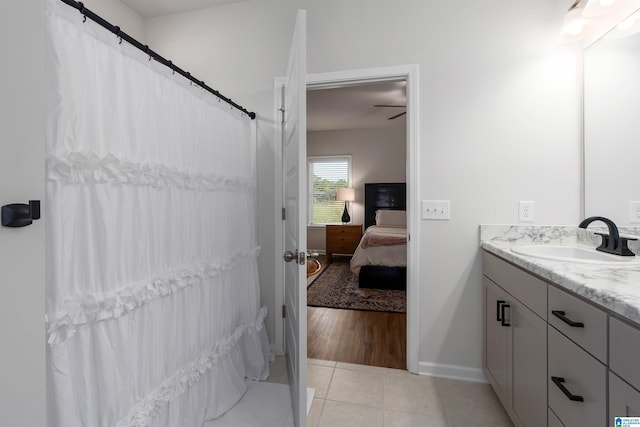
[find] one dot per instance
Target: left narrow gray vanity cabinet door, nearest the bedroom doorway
(496, 350)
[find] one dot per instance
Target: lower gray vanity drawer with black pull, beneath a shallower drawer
(583, 376)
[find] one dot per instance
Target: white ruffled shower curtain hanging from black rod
(153, 306)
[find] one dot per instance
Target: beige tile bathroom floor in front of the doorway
(358, 395)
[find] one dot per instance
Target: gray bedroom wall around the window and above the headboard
(377, 155)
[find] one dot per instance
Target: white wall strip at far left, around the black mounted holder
(22, 253)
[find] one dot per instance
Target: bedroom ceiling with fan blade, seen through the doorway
(353, 107)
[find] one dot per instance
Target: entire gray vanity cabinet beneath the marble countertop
(555, 359)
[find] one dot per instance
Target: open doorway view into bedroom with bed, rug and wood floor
(357, 138)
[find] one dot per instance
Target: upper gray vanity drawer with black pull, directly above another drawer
(592, 335)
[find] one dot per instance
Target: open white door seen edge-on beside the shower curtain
(294, 153)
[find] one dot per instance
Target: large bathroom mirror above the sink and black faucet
(612, 125)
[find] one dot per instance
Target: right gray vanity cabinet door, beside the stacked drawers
(528, 366)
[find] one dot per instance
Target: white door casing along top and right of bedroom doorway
(408, 75)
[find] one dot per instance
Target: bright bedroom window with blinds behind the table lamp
(325, 175)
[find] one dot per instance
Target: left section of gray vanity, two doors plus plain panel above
(515, 353)
